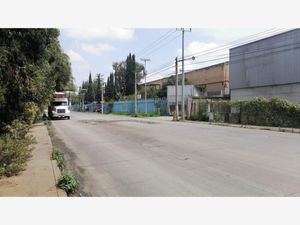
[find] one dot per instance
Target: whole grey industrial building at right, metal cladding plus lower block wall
(268, 67)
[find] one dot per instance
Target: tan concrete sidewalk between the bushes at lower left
(41, 174)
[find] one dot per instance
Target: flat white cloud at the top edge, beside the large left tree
(94, 33)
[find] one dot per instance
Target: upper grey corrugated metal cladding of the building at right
(267, 62)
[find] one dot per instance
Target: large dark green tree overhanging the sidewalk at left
(32, 67)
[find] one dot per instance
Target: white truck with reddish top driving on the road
(59, 107)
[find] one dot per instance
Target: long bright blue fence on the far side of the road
(153, 105)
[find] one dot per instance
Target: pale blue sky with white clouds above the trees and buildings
(95, 49)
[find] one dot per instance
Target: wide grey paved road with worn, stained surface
(125, 156)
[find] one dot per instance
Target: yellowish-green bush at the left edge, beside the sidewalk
(13, 154)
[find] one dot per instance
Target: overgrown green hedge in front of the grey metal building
(260, 111)
